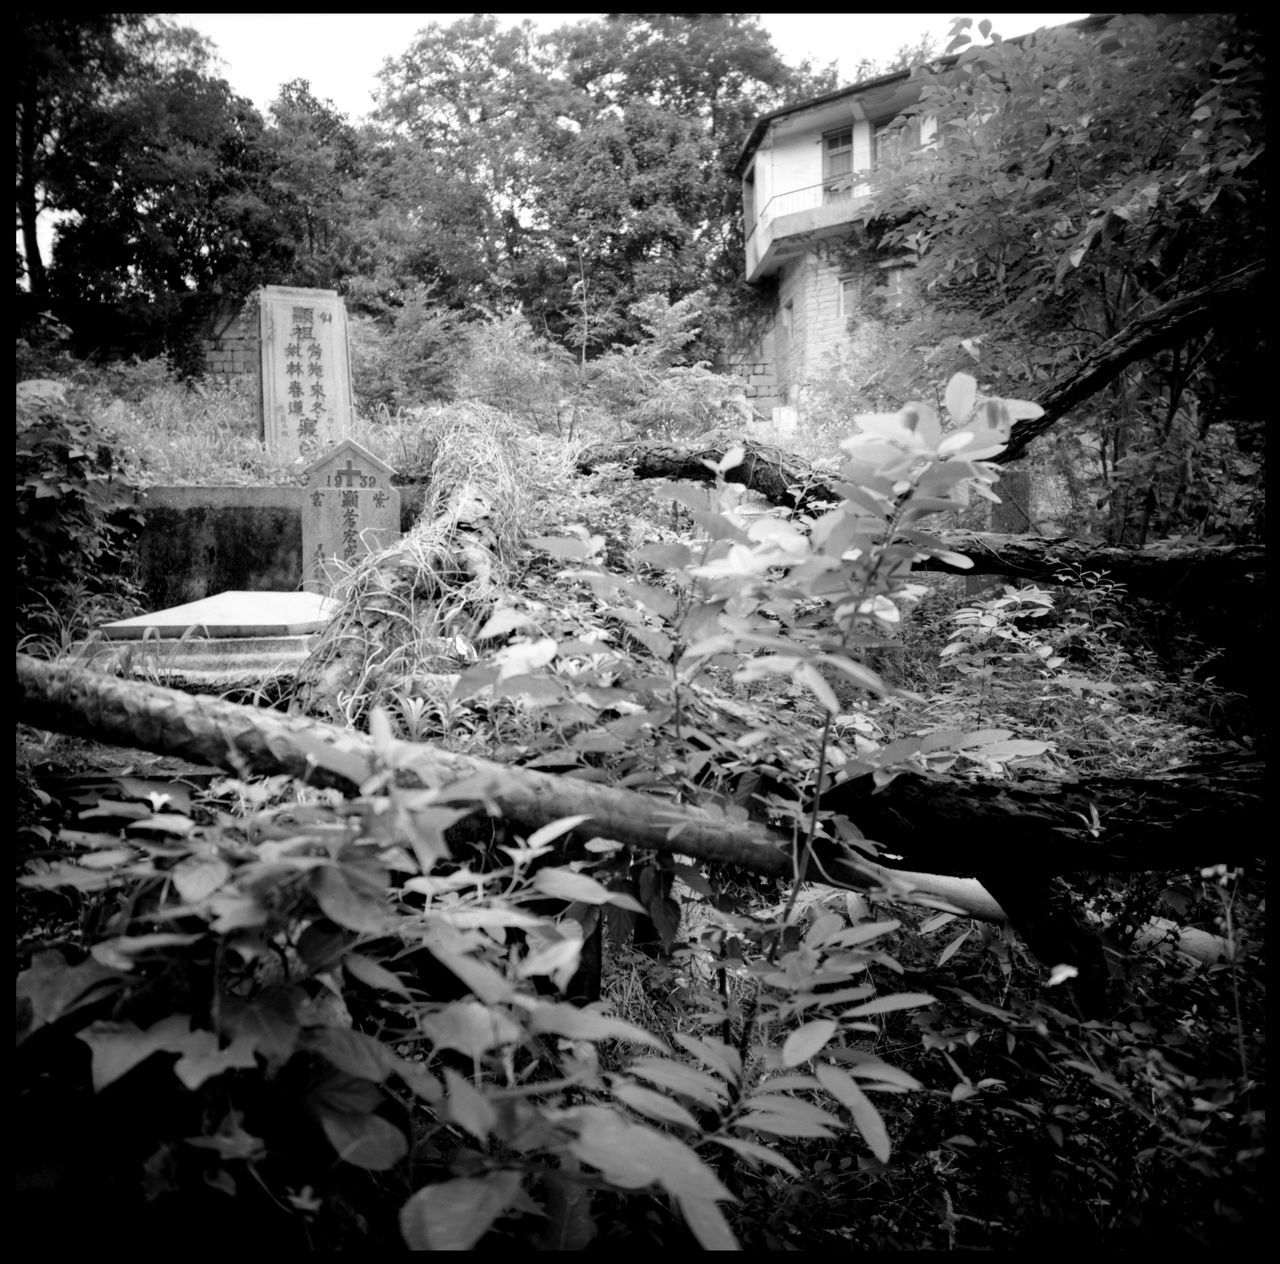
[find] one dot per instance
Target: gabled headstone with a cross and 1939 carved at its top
(350, 509)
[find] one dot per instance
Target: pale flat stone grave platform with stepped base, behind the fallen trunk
(231, 642)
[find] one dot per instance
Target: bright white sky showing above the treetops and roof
(342, 53)
